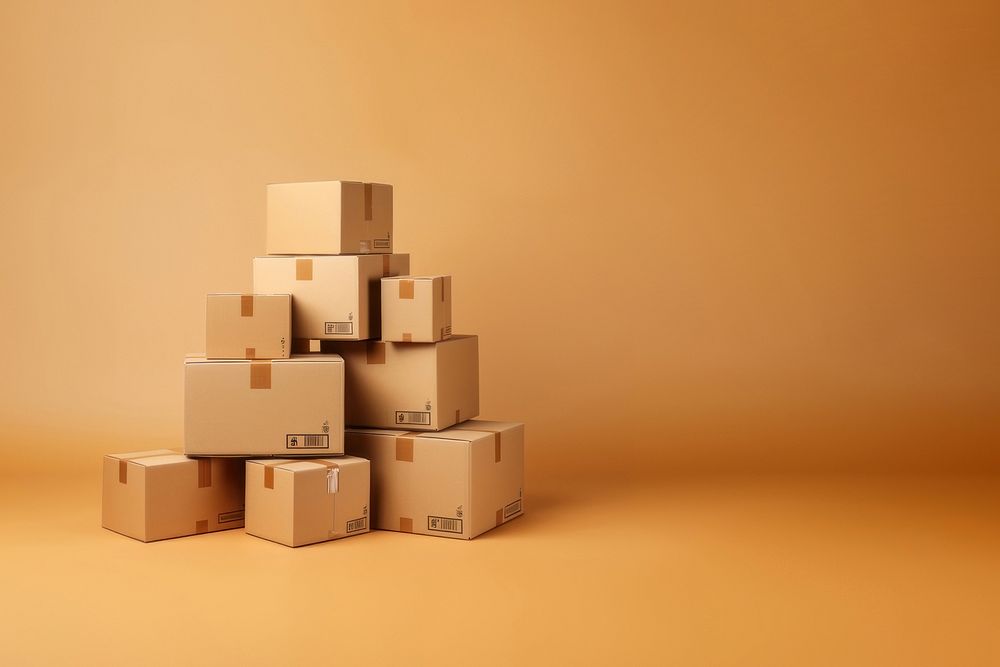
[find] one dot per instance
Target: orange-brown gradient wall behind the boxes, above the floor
(703, 236)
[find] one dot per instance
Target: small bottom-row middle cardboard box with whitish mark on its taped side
(304, 501)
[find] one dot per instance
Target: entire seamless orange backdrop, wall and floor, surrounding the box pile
(694, 238)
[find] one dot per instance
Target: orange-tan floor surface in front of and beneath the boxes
(705, 570)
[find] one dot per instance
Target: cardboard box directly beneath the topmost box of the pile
(333, 297)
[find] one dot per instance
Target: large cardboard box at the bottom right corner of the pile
(455, 483)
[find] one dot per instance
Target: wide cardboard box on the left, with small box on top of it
(284, 407)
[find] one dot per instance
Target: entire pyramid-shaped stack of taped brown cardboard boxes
(333, 400)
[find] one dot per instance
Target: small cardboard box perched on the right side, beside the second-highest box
(416, 309)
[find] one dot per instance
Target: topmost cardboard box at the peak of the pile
(329, 218)
